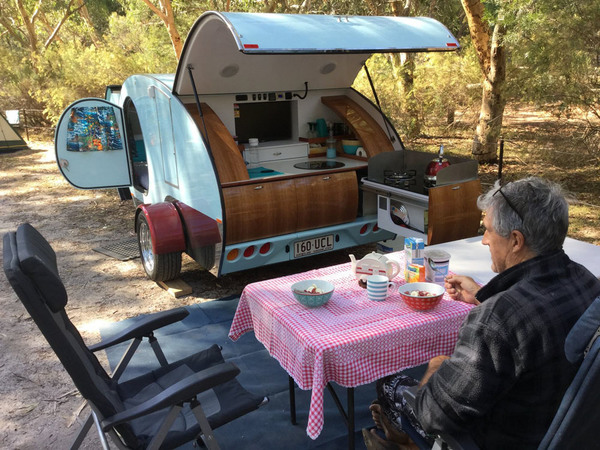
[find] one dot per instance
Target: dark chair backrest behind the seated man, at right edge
(577, 422)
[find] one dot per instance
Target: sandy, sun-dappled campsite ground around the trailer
(39, 406)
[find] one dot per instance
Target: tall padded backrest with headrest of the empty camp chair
(30, 266)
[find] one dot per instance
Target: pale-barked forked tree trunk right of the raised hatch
(492, 61)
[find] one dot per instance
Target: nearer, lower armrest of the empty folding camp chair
(180, 392)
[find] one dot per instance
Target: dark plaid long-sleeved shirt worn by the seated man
(508, 373)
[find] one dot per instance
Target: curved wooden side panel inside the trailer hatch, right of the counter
(366, 129)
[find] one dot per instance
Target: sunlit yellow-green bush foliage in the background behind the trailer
(553, 49)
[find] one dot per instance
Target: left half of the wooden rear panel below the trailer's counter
(259, 210)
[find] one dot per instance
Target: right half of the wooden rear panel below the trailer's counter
(326, 199)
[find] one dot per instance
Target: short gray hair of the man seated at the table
(537, 208)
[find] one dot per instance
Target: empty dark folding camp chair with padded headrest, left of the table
(177, 403)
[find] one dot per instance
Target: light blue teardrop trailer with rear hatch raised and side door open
(180, 142)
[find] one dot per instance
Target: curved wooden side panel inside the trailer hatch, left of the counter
(228, 158)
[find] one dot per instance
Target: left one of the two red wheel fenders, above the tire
(166, 229)
